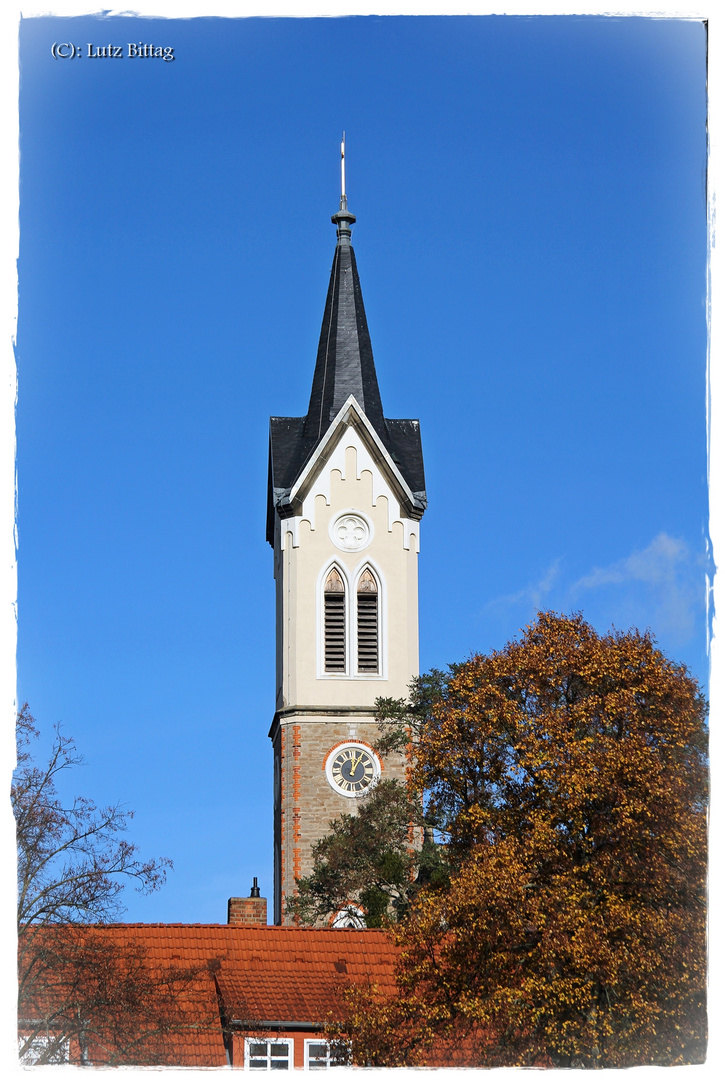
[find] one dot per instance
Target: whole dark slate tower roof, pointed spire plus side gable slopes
(344, 368)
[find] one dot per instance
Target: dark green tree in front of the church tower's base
(375, 860)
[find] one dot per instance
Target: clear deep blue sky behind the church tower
(532, 244)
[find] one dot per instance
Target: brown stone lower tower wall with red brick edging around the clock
(308, 804)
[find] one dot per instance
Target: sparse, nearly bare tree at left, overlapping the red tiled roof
(78, 985)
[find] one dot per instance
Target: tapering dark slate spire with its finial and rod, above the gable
(345, 363)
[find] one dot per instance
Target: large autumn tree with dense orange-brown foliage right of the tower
(569, 777)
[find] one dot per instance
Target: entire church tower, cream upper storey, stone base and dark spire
(346, 497)
